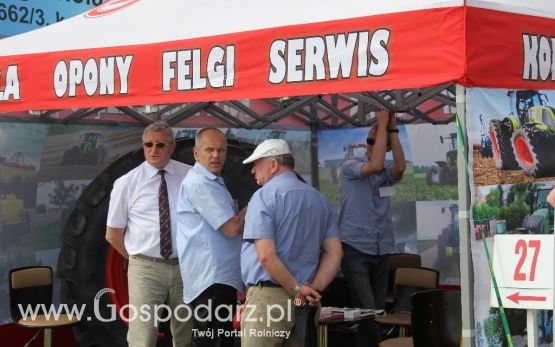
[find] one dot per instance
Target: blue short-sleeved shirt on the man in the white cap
(297, 217)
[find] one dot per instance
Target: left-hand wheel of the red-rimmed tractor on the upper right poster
(500, 133)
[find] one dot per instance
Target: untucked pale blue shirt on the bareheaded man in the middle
(206, 255)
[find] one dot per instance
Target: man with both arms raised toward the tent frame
(365, 219)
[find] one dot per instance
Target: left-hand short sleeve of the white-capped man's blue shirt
(259, 219)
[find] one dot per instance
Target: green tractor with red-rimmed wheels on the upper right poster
(524, 139)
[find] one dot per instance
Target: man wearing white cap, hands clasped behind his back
(291, 249)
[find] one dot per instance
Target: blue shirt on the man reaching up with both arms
(365, 218)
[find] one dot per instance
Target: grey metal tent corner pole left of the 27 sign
(466, 268)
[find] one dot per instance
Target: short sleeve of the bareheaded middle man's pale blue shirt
(211, 204)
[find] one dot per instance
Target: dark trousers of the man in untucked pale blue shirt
(210, 299)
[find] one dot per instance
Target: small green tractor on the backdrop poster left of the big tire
(91, 151)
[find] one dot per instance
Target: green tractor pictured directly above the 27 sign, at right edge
(540, 218)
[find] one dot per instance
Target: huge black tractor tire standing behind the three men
(83, 256)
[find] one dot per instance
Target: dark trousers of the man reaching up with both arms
(366, 276)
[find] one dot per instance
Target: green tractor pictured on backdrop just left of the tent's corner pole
(446, 171)
